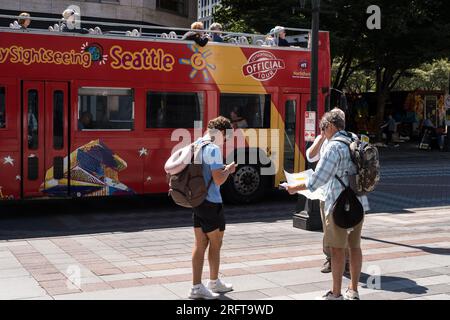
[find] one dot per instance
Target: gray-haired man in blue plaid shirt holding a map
(336, 161)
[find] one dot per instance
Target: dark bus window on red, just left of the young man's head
(174, 109)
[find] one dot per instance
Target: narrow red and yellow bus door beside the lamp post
(294, 109)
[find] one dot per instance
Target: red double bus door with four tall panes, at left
(45, 138)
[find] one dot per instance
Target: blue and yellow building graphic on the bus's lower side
(94, 171)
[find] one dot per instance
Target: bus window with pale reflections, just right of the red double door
(105, 109)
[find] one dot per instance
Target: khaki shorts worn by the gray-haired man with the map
(336, 237)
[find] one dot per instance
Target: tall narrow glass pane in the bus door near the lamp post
(289, 137)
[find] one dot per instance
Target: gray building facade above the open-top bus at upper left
(173, 13)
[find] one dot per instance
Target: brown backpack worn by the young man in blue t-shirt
(187, 187)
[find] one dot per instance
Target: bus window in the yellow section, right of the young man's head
(246, 110)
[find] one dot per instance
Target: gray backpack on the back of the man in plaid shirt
(365, 157)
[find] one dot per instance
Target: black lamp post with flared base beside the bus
(309, 218)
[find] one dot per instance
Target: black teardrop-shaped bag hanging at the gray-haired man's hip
(347, 210)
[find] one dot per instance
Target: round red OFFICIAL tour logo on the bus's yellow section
(262, 66)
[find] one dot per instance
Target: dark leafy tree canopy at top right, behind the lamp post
(412, 33)
